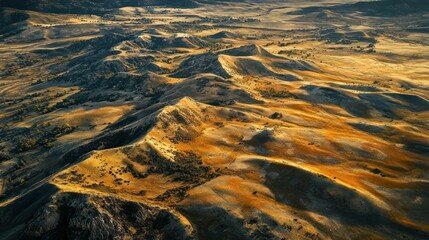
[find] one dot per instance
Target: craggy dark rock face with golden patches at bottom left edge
(87, 216)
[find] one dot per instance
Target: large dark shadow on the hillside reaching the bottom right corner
(307, 191)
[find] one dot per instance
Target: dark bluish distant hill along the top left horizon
(89, 6)
